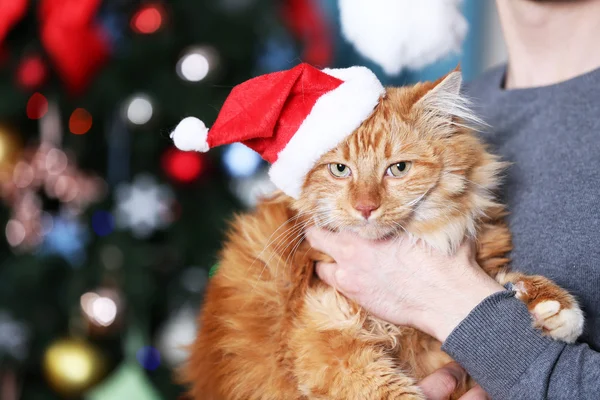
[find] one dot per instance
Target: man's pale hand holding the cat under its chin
(404, 283)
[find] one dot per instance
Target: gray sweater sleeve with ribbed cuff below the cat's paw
(510, 359)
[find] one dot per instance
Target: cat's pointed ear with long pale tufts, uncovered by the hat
(445, 106)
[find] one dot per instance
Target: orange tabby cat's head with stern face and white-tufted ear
(408, 168)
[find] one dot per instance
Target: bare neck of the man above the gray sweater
(549, 41)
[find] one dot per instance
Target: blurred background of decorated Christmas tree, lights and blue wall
(108, 232)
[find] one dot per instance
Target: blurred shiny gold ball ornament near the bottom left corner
(72, 366)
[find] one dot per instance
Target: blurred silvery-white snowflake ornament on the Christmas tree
(143, 206)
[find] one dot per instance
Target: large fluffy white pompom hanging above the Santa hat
(399, 34)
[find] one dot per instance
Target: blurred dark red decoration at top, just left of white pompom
(307, 22)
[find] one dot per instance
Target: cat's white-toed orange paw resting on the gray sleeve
(555, 312)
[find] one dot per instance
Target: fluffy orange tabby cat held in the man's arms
(269, 329)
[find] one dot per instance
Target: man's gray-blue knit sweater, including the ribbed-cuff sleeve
(552, 135)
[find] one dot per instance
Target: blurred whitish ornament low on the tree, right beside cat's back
(178, 333)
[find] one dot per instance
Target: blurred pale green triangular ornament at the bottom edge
(129, 381)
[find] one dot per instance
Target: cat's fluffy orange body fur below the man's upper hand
(270, 329)
